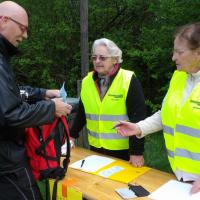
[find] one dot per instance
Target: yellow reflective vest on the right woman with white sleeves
(181, 124)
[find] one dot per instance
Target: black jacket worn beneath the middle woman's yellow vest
(136, 111)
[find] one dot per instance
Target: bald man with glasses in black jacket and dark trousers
(16, 180)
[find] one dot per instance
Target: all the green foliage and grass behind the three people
(143, 29)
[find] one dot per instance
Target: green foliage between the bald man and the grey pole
(51, 52)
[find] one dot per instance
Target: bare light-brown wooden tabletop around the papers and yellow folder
(96, 187)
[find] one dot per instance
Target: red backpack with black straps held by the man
(43, 146)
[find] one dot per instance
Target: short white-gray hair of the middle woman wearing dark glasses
(112, 48)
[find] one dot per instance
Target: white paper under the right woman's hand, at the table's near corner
(174, 190)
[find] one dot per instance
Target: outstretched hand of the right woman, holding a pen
(127, 128)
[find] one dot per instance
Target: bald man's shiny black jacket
(16, 114)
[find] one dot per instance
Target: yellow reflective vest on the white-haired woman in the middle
(102, 115)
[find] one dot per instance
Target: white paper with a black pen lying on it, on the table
(92, 163)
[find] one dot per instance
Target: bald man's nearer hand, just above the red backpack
(61, 108)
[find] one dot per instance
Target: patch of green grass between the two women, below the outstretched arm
(155, 152)
